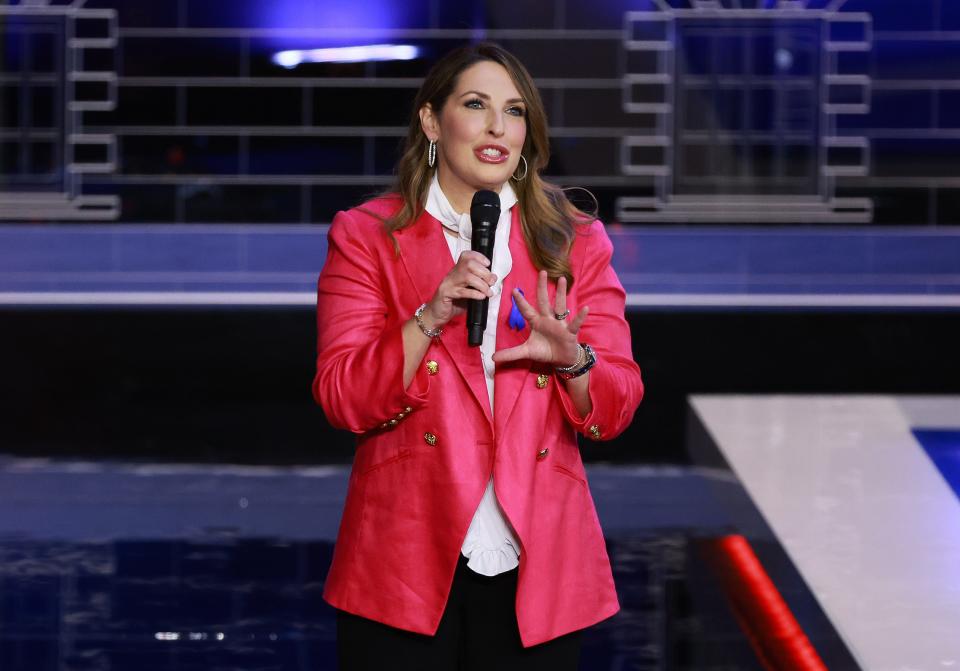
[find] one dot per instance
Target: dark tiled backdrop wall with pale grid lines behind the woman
(185, 123)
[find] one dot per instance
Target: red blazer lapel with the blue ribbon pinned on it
(510, 377)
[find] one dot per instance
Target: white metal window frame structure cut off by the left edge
(76, 82)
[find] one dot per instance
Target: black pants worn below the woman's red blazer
(478, 631)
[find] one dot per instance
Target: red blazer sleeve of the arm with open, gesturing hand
(615, 386)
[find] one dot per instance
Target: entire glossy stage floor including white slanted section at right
(849, 503)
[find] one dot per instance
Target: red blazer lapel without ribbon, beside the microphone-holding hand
(426, 258)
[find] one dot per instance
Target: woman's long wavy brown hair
(548, 220)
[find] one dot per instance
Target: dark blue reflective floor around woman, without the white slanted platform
(146, 567)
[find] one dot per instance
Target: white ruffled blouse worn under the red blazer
(491, 545)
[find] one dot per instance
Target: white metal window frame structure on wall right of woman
(654, 84)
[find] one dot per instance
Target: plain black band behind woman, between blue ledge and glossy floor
(230, 385)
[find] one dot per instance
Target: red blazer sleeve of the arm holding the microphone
(359, 377)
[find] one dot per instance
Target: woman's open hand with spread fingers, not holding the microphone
(552, 340)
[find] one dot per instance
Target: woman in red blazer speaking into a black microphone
(469, 538)
